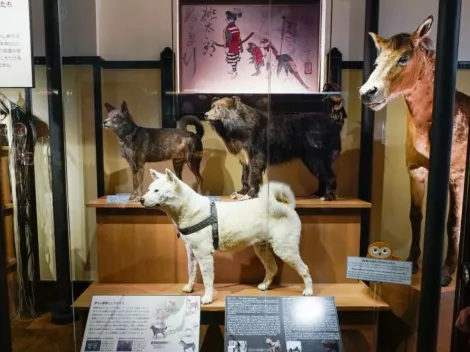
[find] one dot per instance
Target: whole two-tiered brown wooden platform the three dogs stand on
(139, 253)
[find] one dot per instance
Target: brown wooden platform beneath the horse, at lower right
(399, 326)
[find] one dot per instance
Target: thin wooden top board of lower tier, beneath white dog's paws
(348, 297)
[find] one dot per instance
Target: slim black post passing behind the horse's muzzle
(367, 124)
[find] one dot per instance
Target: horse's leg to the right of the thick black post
(454, 219)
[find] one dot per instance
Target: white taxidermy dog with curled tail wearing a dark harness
(268, 223)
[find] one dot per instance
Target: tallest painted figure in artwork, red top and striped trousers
(232, 40)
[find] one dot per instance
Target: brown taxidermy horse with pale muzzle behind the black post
(405, 68)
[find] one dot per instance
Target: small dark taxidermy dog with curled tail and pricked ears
(140, 145)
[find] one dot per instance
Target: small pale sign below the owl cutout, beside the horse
(379, 270)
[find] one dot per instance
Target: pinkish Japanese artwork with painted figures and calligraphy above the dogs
(249, 48)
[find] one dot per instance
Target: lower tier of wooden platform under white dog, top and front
(358, 308)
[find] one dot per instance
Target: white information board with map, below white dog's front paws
(143, 323)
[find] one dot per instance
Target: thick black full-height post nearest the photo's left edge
(61, 312)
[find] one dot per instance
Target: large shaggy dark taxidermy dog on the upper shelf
(260, 140)
